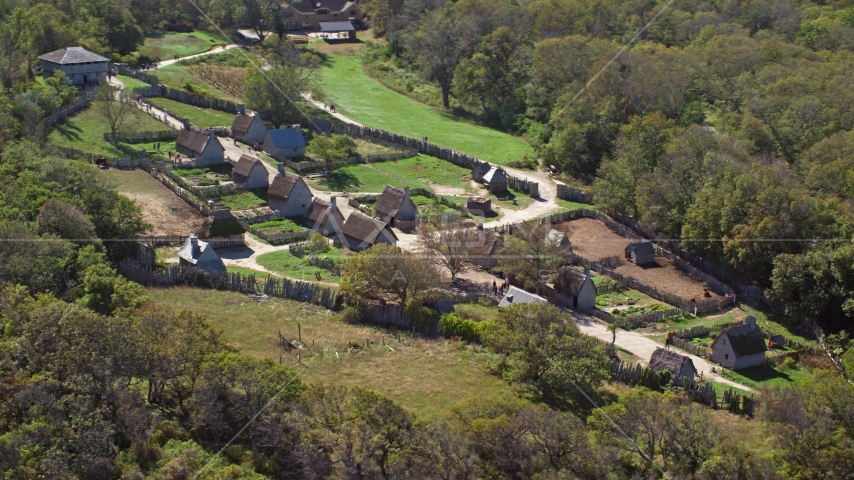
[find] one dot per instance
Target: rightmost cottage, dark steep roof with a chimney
(740, 347)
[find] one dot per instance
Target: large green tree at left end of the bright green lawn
(272, 93)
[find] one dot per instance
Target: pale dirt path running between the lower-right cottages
(643, 347)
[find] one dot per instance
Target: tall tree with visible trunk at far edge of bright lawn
(442, 40)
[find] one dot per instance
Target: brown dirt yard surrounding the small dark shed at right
(593, 240)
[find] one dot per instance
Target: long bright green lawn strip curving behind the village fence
(365, 100)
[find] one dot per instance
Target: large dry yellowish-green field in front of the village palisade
(425, 376)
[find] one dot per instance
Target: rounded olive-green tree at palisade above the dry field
(385, 270)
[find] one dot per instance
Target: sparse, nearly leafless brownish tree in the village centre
(449, 245)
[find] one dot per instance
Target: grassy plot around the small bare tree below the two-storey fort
(85, 131)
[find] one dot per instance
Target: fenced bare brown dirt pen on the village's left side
(157, 202)
